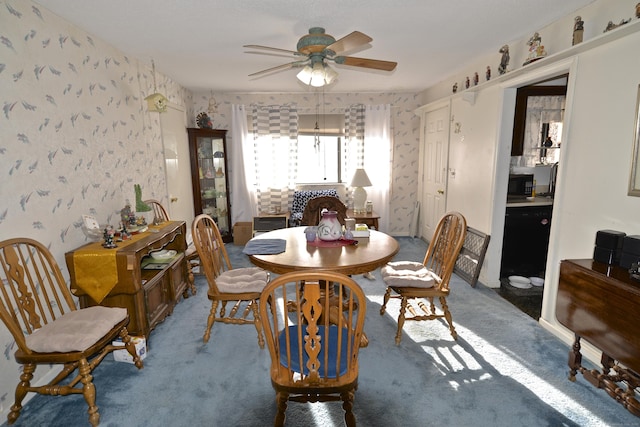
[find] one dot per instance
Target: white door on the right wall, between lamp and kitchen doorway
(435, 152)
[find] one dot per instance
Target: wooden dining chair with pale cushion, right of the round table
(411, 280)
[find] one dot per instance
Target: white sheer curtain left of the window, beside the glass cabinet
(243, 206)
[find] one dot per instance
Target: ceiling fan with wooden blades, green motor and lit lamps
(316, 48)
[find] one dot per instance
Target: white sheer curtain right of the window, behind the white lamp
(377, 159)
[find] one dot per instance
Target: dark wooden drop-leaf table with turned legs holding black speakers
(601, 304)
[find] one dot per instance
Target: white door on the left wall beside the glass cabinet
(178, 166)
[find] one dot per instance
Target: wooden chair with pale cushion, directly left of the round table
(240, 285)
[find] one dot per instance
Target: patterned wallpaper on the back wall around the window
(405, 124)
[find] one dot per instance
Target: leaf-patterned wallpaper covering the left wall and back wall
(75, 136)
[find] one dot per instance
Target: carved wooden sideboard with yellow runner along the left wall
(148, 294)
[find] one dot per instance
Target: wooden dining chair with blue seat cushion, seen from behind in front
(313, 322)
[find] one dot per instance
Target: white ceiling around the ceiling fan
(198, 43)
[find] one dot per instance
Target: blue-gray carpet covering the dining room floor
(504, 370)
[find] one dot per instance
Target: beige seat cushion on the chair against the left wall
(77, 330)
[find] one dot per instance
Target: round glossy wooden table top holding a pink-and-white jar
(369, 254)
